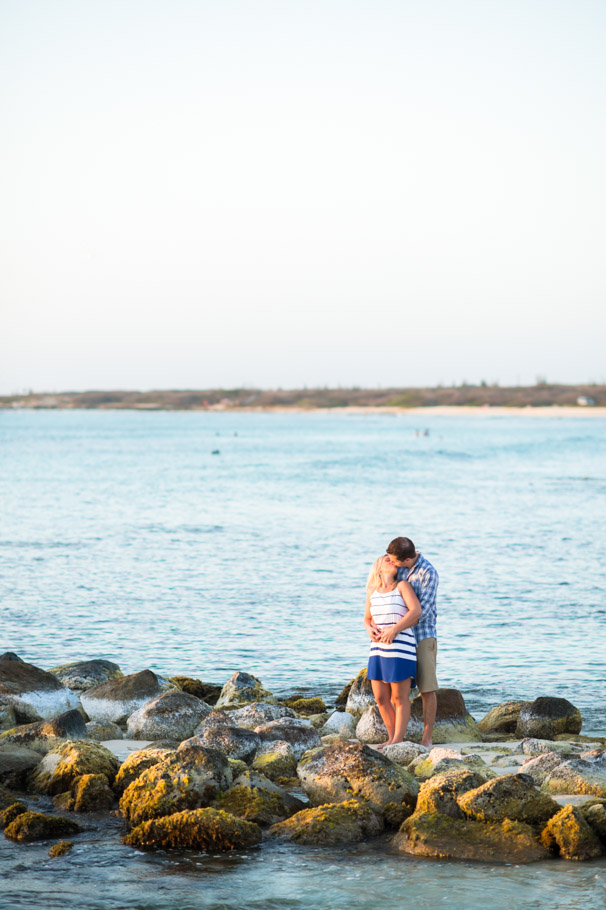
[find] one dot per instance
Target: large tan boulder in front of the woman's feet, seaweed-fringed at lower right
(336, 773)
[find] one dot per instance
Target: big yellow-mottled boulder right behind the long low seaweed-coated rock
(191, 779)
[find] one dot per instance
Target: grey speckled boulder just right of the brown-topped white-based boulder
(173, 715)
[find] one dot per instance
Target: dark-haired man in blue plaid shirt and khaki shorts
(414, 568)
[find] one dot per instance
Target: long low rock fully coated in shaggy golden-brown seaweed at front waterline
(199, 829)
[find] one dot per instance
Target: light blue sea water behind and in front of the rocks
(203, 543)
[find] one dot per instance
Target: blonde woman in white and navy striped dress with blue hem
(392, 608)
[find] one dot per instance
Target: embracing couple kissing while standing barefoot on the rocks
(400, 619)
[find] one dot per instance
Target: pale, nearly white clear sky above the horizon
(279, 193)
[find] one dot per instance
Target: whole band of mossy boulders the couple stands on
(522, 785)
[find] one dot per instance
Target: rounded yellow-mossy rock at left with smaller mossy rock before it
(60, 767)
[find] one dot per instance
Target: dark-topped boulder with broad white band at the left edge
(33, 693)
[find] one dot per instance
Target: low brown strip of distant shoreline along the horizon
(540, 395)
